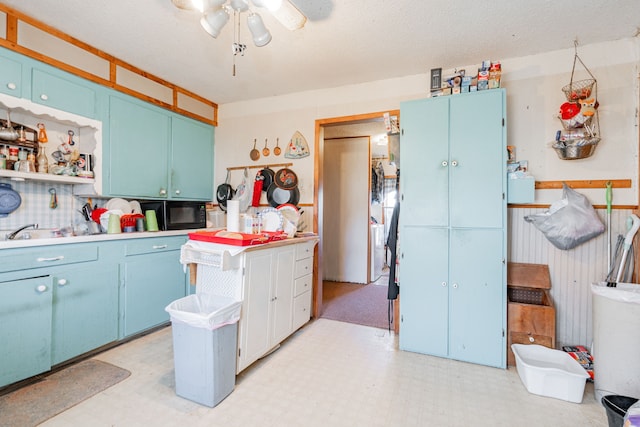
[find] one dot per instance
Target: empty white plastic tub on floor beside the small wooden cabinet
(548, 372)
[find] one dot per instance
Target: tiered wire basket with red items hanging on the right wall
(579, 117)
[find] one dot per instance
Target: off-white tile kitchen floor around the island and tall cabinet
(329, 374)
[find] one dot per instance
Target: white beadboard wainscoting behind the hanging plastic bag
(572, 271)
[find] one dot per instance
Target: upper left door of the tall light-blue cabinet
(424, 152)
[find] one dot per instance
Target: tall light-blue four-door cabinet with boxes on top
(453, 227)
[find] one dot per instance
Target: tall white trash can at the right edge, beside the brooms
(616, 339)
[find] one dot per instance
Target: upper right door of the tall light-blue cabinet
(478, 156)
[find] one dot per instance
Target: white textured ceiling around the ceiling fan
(343, 42)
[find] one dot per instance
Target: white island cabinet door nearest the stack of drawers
(282, 294)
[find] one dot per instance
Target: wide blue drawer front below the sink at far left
(22, 259)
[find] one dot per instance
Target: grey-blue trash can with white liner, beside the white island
(205, 334)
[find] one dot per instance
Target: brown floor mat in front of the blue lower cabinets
(55, 393)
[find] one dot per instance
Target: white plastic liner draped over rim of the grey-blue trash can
(205, 311)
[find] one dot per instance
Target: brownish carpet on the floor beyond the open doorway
(354, 303)
